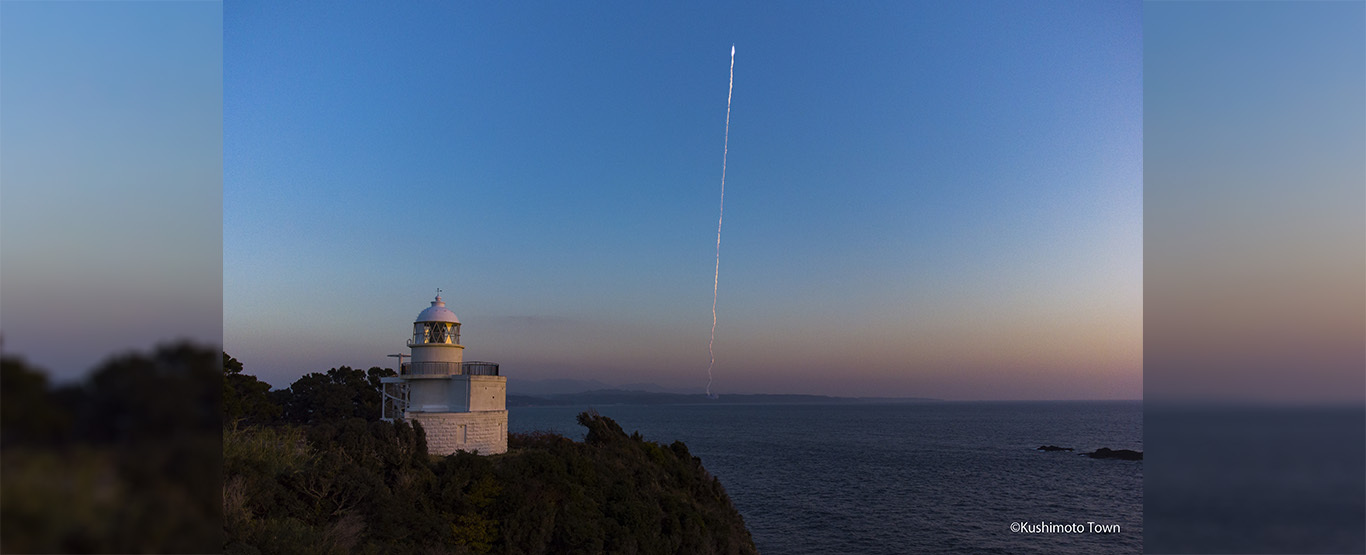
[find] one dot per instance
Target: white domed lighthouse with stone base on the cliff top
(462, 405)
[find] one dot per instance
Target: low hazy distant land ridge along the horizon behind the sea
(636, 397)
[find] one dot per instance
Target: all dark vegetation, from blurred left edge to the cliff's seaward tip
(129, 460)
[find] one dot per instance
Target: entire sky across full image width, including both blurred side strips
(984, 202)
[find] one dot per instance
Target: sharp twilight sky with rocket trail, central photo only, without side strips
(921, 199)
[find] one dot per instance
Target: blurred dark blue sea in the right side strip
(1256, 480)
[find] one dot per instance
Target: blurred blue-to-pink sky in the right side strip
(1256, 203)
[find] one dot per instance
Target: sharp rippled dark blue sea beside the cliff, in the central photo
(908, 478)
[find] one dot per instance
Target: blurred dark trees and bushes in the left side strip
(126, 460)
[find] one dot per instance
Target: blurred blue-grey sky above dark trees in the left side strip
(111, 170)
